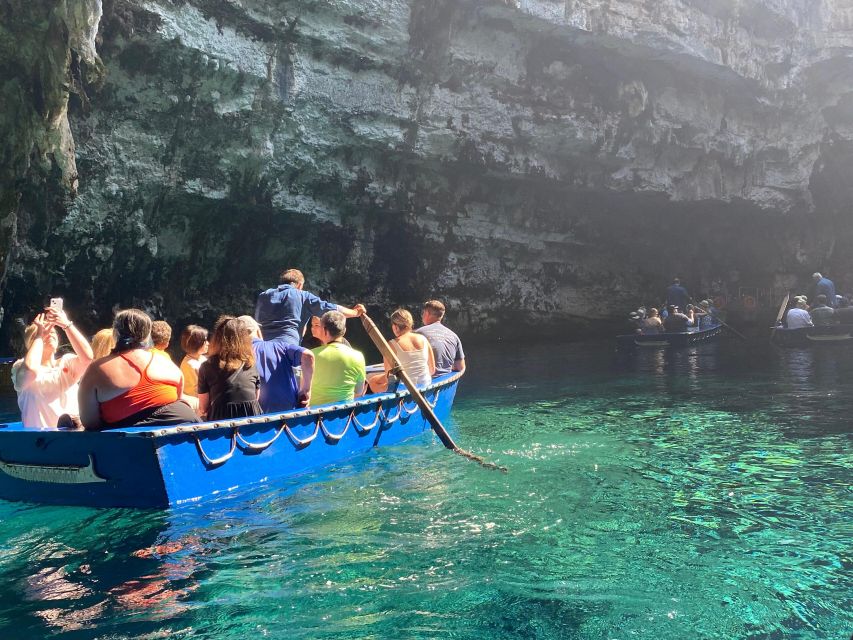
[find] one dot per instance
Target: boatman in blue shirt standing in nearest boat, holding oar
(283, 311)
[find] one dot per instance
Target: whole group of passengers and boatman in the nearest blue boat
(246, 365)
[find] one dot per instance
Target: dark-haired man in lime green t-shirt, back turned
(339, 370)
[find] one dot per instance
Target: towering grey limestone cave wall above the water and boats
(532, 162)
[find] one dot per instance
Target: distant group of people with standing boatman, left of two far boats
(677, 314)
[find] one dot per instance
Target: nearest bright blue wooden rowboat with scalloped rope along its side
(156, 467)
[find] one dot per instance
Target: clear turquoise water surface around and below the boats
(690, 494)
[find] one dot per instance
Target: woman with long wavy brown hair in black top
(228, 381)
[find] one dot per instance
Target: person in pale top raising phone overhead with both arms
(47, 387)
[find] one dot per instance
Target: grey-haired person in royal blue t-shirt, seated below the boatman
(275, 361)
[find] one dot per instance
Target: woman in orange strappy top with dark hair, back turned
(132, 386)
